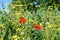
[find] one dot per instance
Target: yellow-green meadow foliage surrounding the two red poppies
(12, 29)
